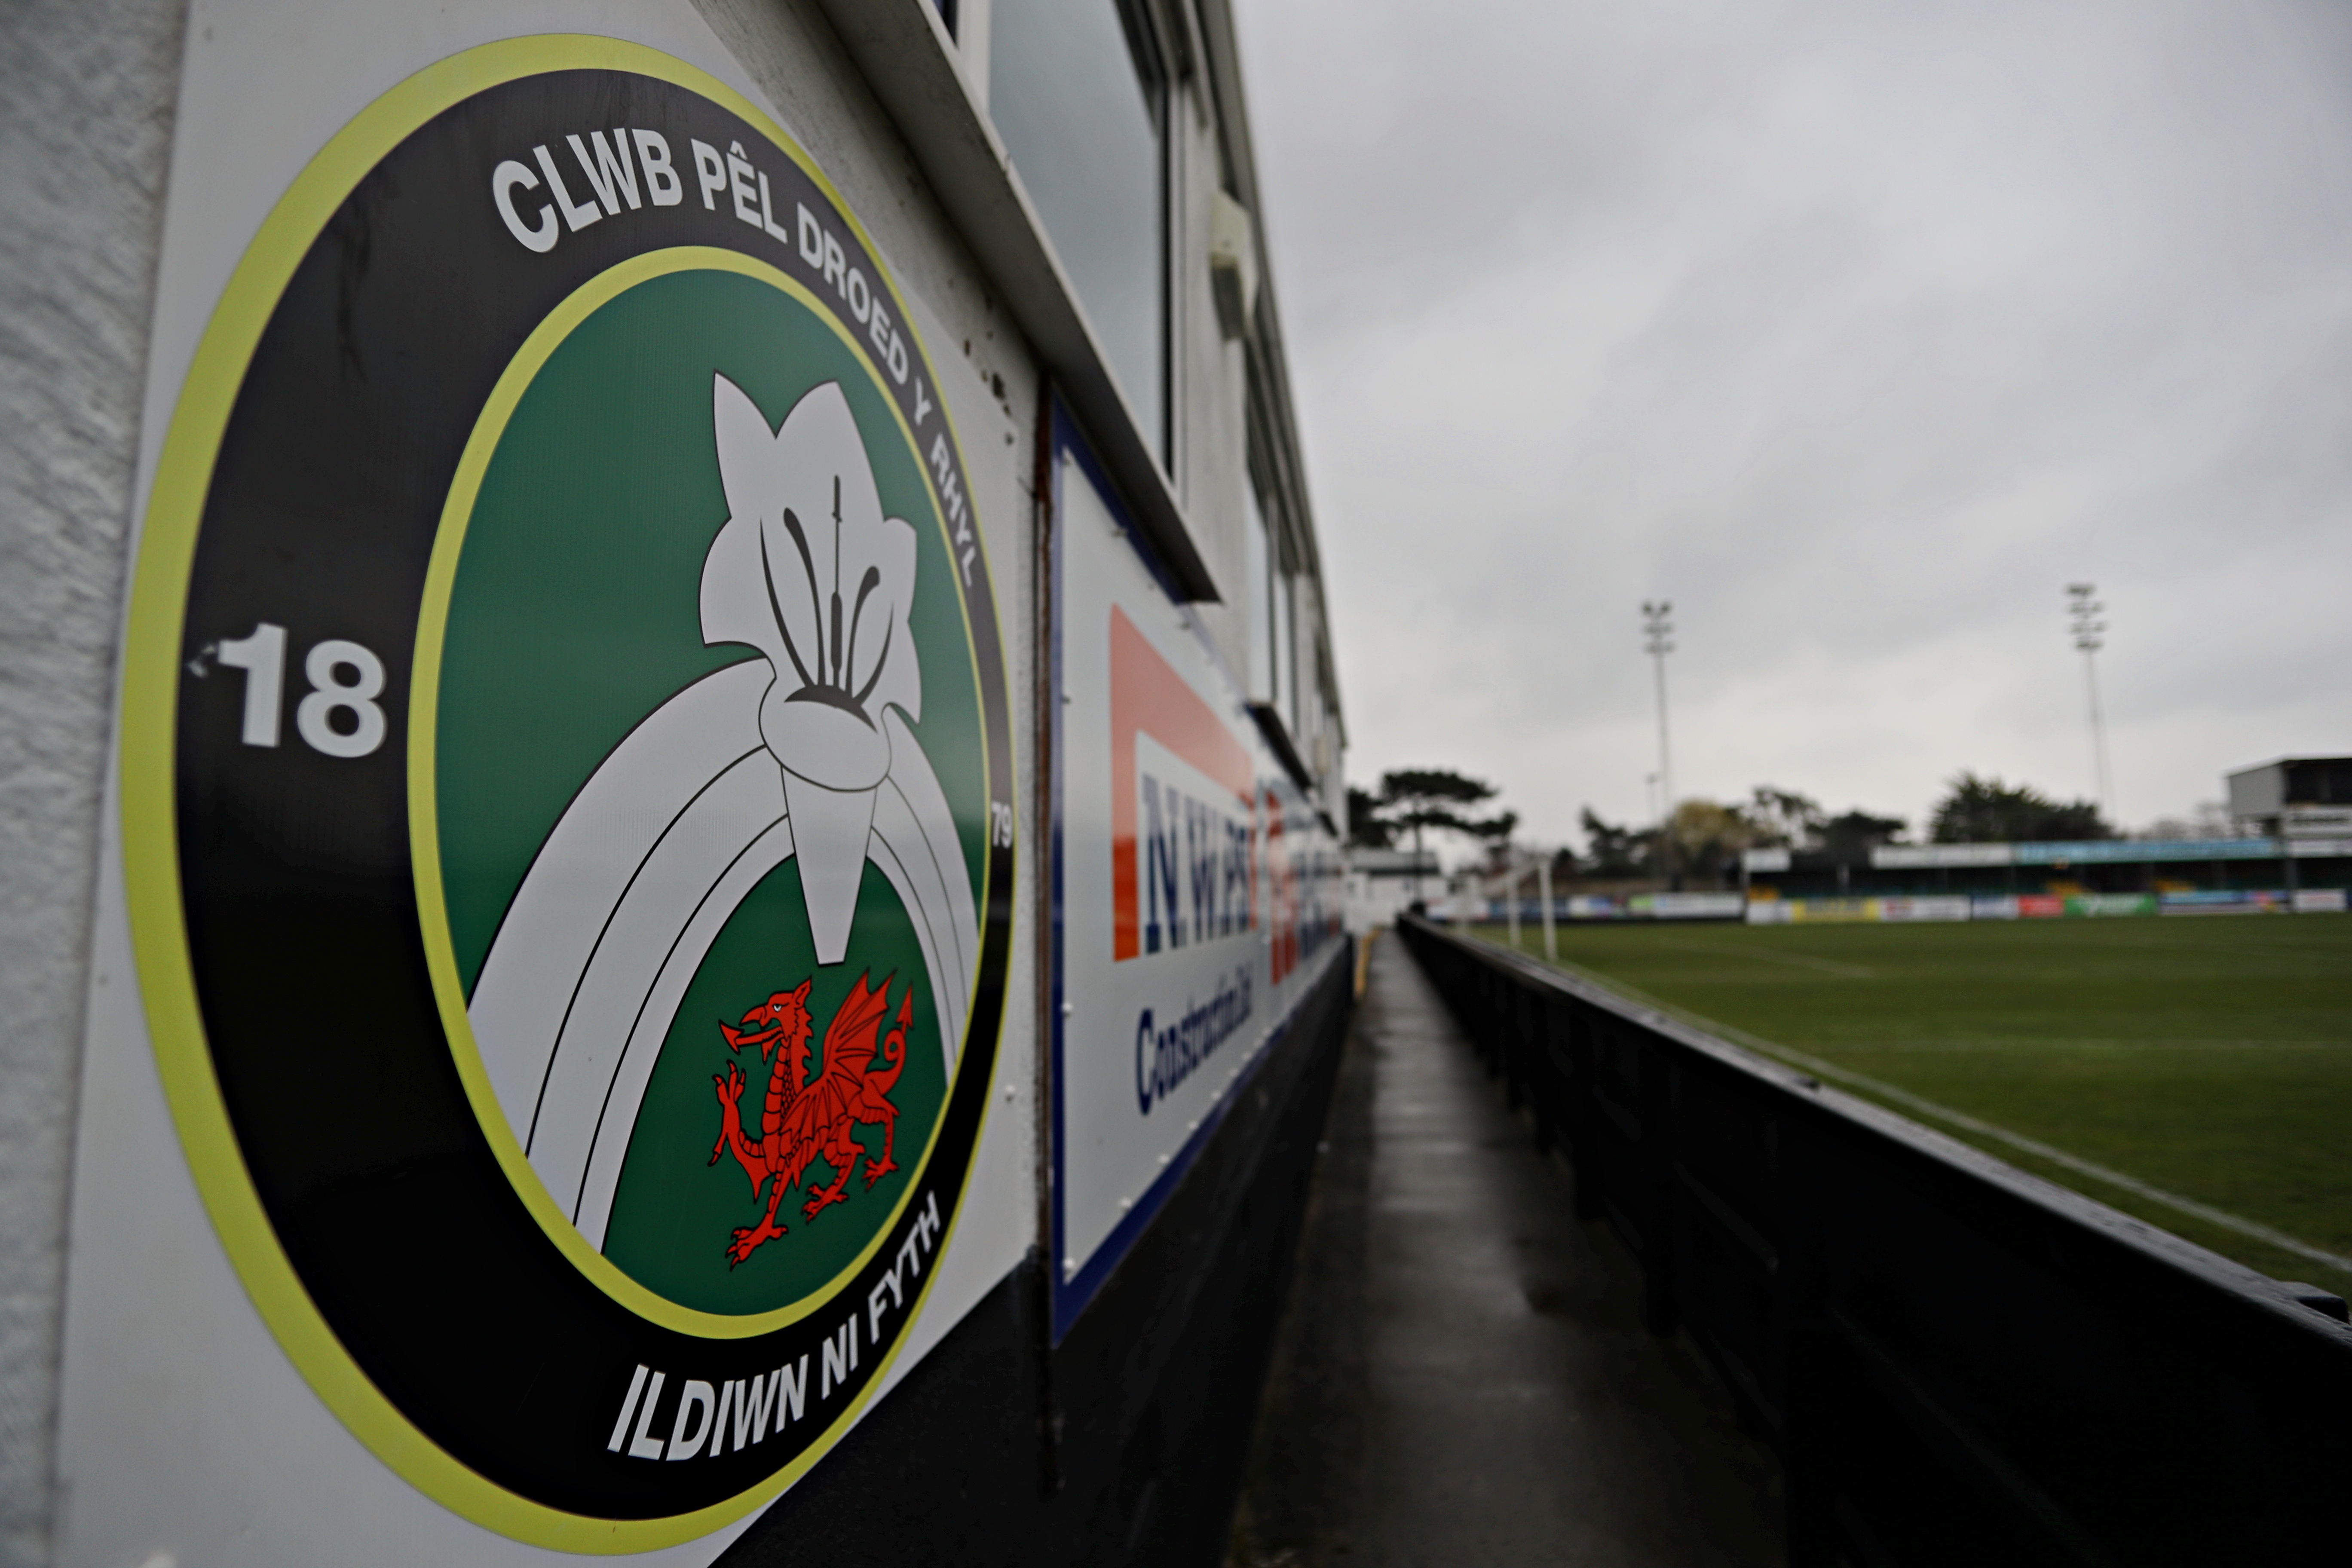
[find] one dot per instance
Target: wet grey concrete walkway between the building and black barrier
(1462, 1374)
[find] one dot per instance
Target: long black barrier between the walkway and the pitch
(1956, 1362)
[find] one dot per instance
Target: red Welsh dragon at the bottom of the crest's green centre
(808, 1120)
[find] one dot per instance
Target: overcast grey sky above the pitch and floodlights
(1855, 330)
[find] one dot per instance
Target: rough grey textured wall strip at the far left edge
(86, 130)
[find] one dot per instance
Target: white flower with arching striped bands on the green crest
(803, 753)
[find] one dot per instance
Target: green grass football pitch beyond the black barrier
(2205, 1057)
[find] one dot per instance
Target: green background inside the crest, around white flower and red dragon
(575, 615)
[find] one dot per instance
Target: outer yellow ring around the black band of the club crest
(154, 631)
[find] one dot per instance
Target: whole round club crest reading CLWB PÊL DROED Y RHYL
(582, 648)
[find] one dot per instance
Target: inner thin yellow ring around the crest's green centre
(425, 784)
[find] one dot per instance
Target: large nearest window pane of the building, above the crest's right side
(1081, 102)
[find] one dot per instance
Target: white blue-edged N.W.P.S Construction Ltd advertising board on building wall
(1196, 885)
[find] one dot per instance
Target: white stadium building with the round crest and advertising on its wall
(671, 838)
